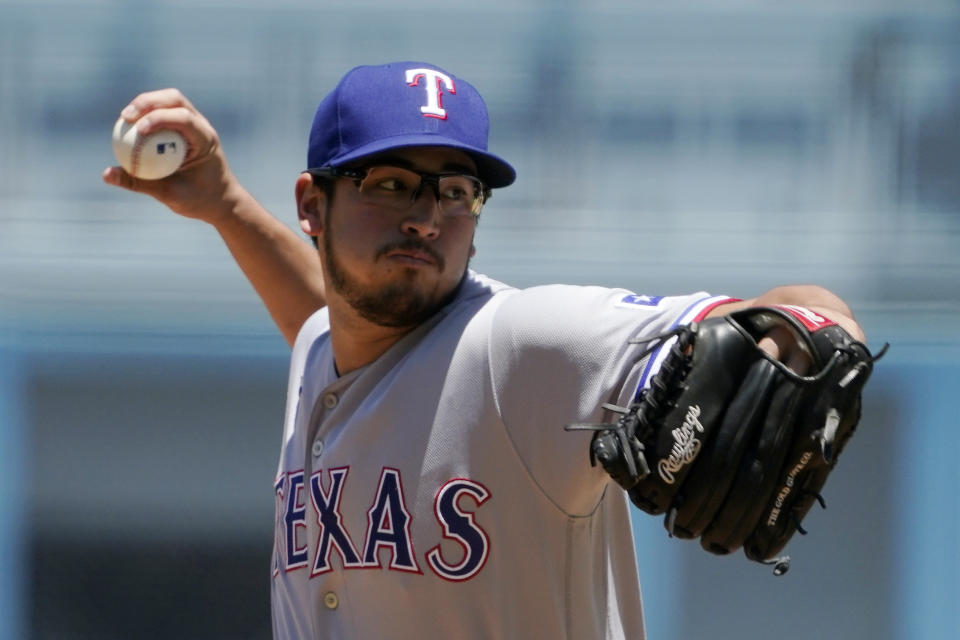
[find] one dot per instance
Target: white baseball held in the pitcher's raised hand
(149, 157)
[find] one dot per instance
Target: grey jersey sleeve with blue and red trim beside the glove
(556, 354)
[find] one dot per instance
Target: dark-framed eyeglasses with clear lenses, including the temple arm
(397, 188)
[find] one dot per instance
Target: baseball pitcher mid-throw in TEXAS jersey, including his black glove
(459, 456)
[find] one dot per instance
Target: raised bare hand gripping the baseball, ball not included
(203, 188)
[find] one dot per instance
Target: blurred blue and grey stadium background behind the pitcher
(729, 145)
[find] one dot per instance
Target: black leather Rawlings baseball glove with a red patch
(732, 445)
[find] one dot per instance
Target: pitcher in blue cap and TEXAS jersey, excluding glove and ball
(427, 486)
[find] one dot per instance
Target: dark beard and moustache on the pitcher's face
(398, 304)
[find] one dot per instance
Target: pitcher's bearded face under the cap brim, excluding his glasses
(395, 268)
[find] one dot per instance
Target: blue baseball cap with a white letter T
(403, 104)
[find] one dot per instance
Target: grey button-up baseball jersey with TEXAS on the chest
(435, 494)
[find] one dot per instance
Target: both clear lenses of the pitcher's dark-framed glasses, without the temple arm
(397, 188)
